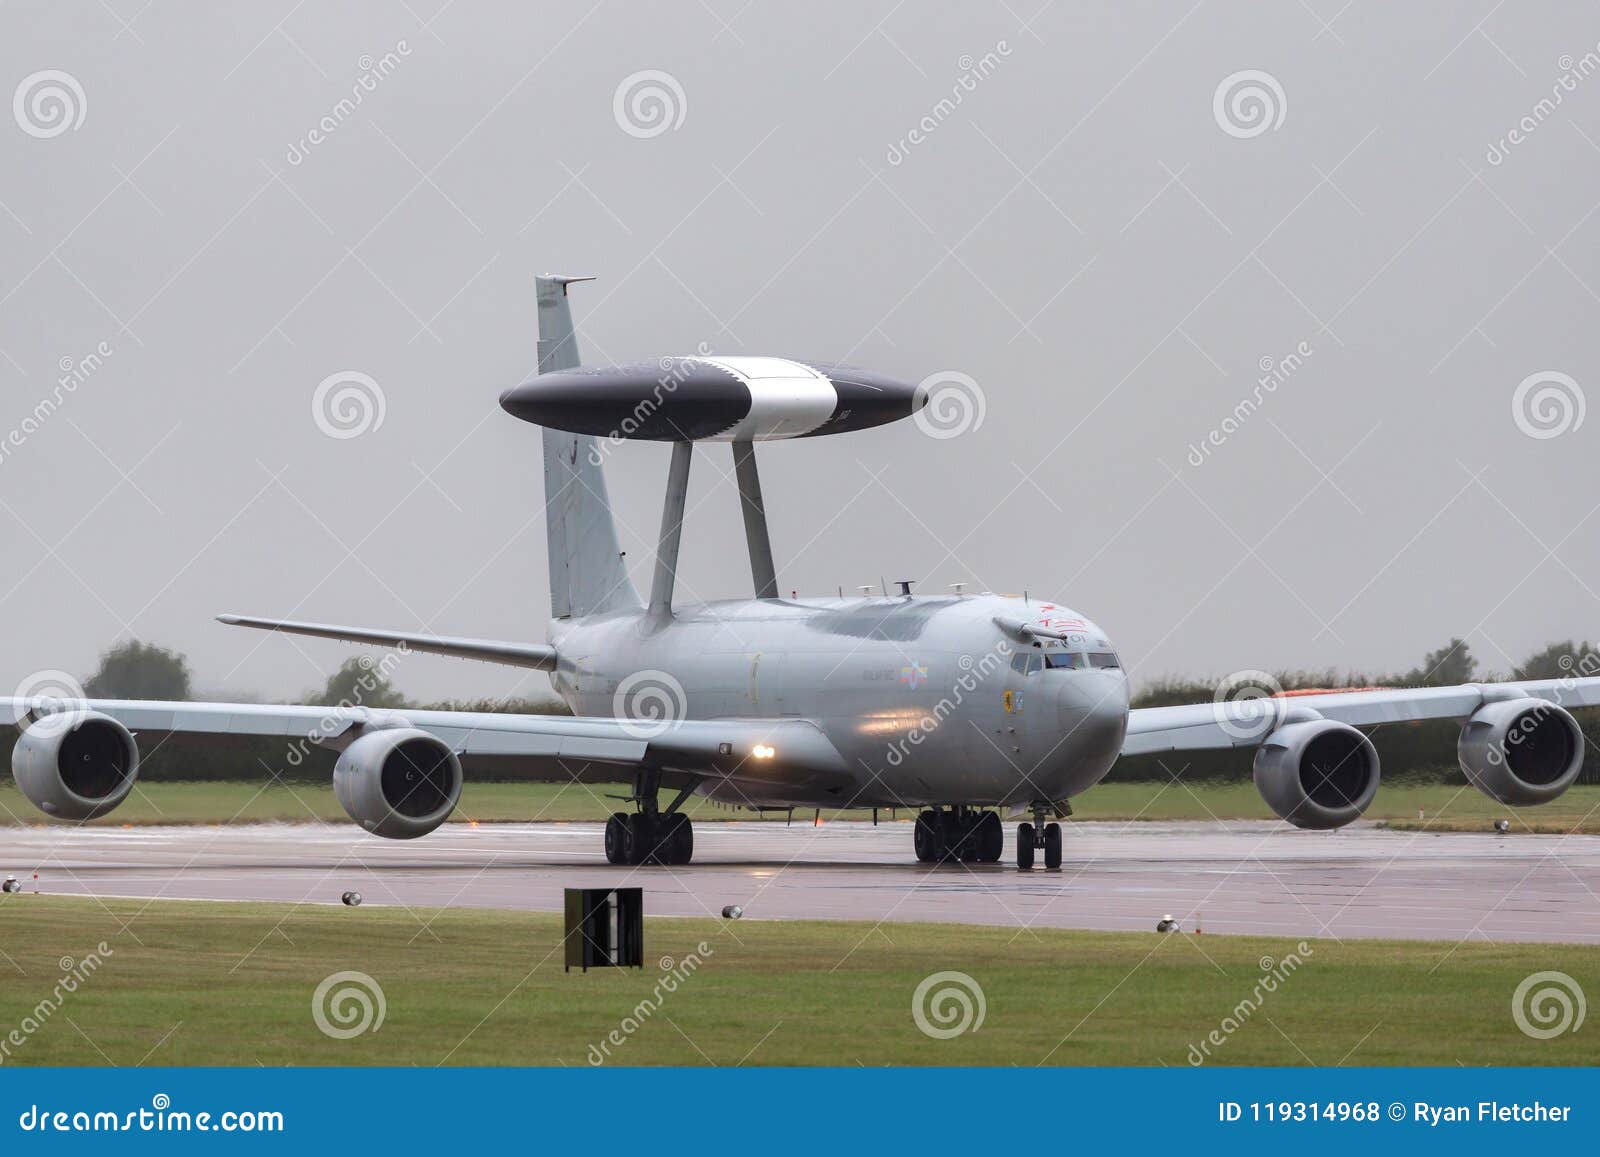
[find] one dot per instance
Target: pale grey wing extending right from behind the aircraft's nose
(1247, 723)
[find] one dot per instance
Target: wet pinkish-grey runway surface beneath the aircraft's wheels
(1234, 878)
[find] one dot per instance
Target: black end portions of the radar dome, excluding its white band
(687, 399)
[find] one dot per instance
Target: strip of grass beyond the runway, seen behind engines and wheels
(1444, 807)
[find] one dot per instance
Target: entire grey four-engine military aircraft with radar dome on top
(956, 707)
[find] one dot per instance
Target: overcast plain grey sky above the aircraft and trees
(1106, 250)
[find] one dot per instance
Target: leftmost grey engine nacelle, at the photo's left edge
(76, 764)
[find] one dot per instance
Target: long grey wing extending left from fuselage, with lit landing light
(540, 748)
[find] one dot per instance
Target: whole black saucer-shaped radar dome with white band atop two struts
(713, 399)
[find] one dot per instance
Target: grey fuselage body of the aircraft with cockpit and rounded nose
(924, 699)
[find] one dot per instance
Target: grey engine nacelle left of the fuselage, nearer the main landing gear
(399, 782)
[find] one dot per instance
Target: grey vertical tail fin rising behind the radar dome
(586, 562)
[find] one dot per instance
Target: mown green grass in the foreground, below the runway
(233, 985)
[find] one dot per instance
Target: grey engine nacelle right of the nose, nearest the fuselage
(1318, 774)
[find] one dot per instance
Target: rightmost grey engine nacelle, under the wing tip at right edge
(1521, 751)
